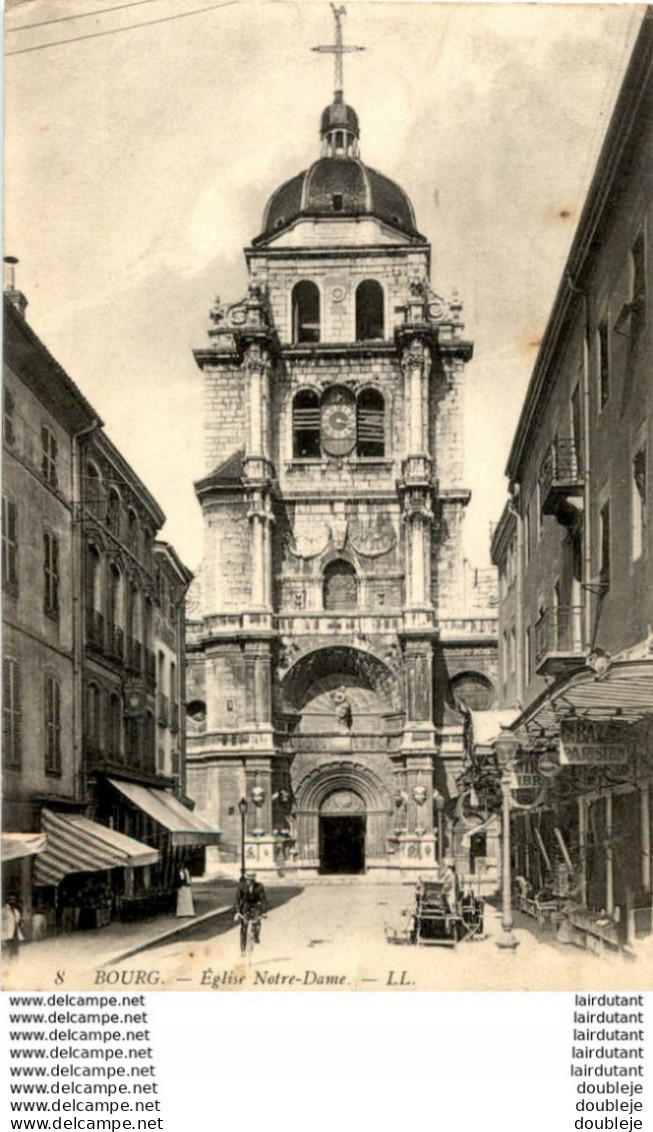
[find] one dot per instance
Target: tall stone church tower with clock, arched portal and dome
(339, 624)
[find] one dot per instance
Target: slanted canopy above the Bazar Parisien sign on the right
(624, 693)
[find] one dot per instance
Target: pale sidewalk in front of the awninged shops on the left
(118, 941)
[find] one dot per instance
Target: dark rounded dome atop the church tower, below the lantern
(340, 186)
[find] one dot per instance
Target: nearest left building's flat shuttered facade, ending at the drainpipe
(44, 417)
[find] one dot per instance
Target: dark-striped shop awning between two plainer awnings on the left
(78, 845)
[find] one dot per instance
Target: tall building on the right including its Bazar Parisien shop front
(575, 550)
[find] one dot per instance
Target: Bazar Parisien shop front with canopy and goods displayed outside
(587, 851)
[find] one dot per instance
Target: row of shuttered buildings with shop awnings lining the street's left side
(96, 821)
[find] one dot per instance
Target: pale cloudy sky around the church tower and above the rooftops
(140, 160)
